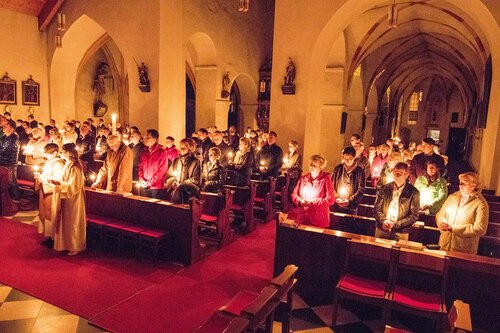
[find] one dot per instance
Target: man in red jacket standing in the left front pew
(152, 166)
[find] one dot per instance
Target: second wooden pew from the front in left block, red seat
(215, 216)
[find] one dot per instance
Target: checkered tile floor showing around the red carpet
(21, 313)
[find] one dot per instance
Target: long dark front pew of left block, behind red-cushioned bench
(181, 221)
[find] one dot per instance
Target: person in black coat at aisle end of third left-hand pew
(239, 169)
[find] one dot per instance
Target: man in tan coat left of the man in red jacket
(117, 168)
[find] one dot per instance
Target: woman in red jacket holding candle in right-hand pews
(314, 194)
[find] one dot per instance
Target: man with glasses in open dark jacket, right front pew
(397, 206)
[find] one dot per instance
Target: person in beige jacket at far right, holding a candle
(463, 218)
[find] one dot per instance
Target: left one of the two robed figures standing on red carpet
(52, 169)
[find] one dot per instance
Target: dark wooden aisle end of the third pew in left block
(242, 207)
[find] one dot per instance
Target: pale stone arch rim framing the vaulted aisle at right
(349, 11)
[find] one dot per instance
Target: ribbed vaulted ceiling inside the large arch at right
(432, 38)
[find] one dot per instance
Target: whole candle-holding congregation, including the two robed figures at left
(410, 179)
